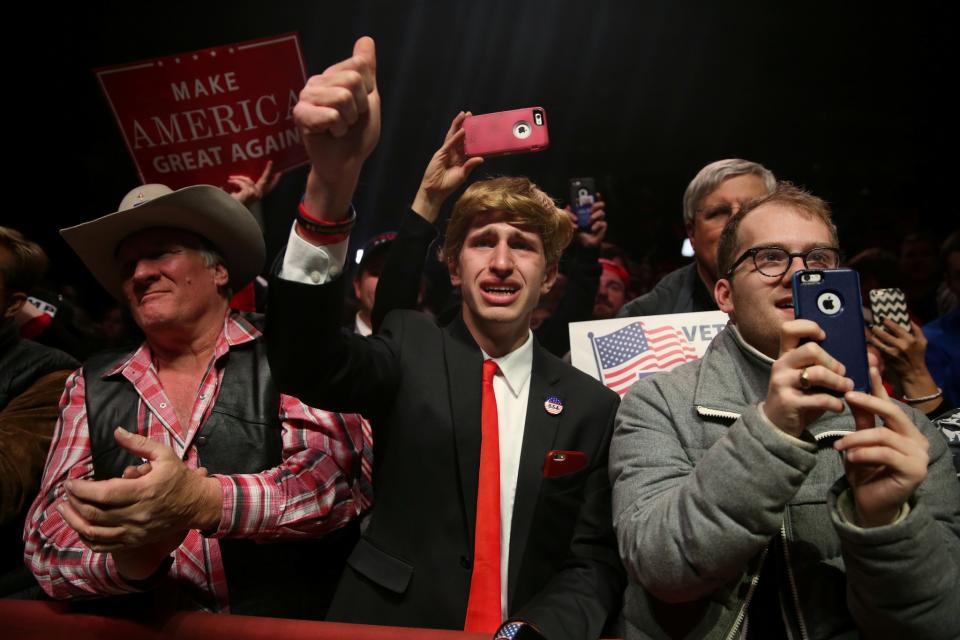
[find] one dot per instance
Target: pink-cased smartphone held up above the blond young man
(506, 132)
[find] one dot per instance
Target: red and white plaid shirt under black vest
(312, 491)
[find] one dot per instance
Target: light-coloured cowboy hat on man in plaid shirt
(202, 209)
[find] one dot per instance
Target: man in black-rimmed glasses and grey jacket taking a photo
(749, 502)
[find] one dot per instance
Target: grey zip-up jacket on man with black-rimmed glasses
(702, 482)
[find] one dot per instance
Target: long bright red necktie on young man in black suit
(483, 607)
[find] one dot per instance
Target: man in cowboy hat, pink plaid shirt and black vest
(170, 463)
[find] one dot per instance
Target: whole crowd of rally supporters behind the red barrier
(362, 452)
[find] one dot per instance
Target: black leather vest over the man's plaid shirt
(291, 579)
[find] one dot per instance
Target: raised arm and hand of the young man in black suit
(339, 115)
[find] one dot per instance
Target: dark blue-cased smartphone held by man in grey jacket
(831, 298)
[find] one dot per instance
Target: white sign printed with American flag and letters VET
(621, 351)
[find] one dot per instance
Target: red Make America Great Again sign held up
(199, 117)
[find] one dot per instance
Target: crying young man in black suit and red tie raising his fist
(492, 511)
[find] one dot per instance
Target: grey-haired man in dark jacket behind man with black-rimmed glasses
(715, 193)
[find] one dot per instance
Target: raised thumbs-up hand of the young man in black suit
(339, 117)
